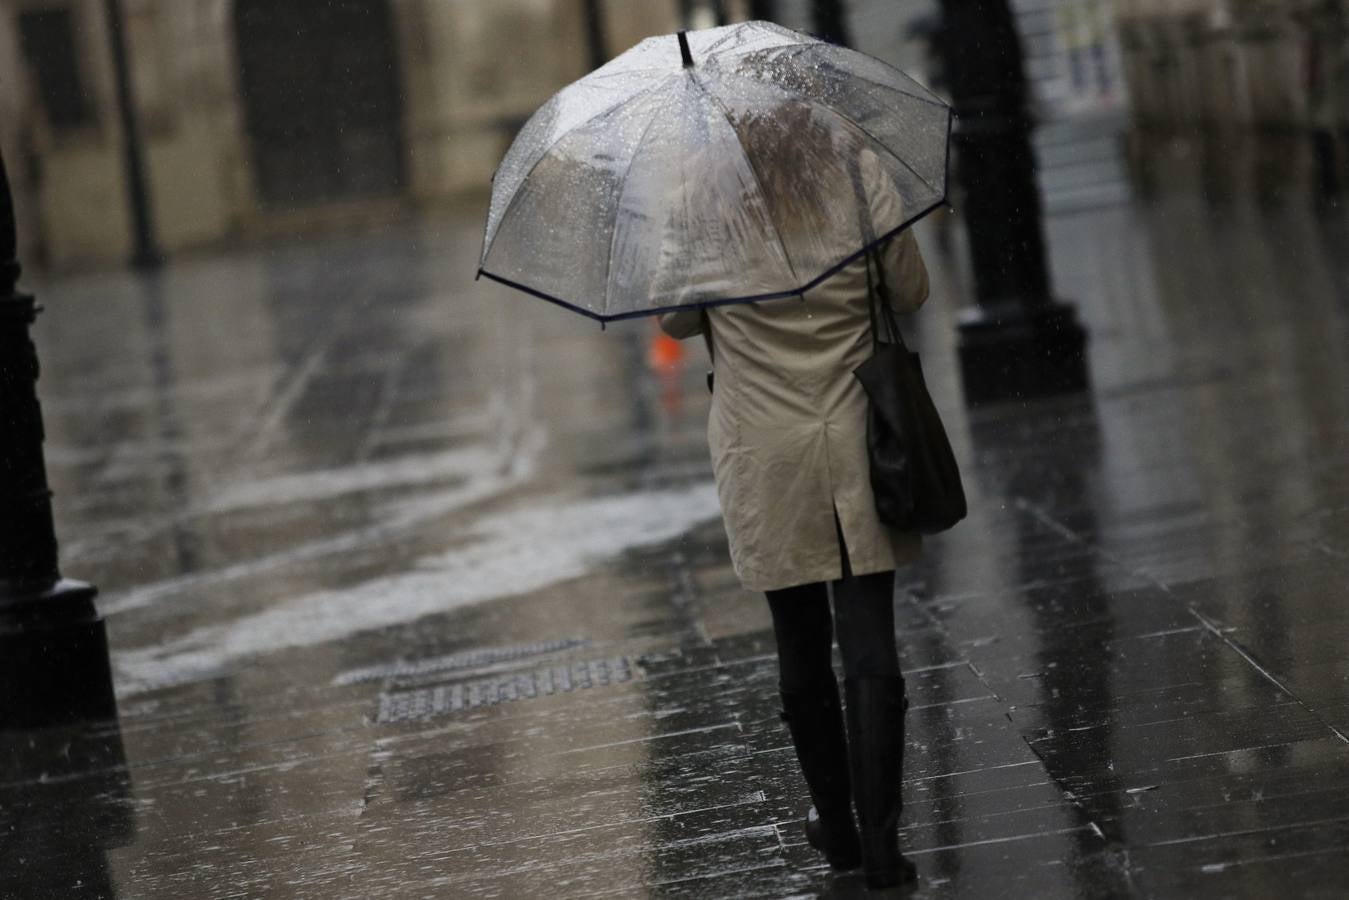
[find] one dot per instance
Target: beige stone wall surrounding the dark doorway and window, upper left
(470, 74)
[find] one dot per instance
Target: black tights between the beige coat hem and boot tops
(864, 616)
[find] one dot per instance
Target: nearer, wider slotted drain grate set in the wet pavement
(426, 704)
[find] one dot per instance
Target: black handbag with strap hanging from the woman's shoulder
(914, 473)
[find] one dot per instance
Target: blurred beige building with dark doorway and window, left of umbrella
(273, 117)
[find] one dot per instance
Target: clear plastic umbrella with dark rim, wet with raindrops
(724, 173)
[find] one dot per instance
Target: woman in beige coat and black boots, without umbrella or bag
(788, 438)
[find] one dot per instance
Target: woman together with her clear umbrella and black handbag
(710, 176)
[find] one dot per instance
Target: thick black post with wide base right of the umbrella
(1019, 342)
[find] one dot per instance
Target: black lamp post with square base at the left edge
(53, 647)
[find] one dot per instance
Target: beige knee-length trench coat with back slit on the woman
(788, 422)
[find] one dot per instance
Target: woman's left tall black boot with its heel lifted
(815, 723)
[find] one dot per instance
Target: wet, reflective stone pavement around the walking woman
(418, 588)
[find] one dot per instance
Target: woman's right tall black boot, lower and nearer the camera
(876, 708)
